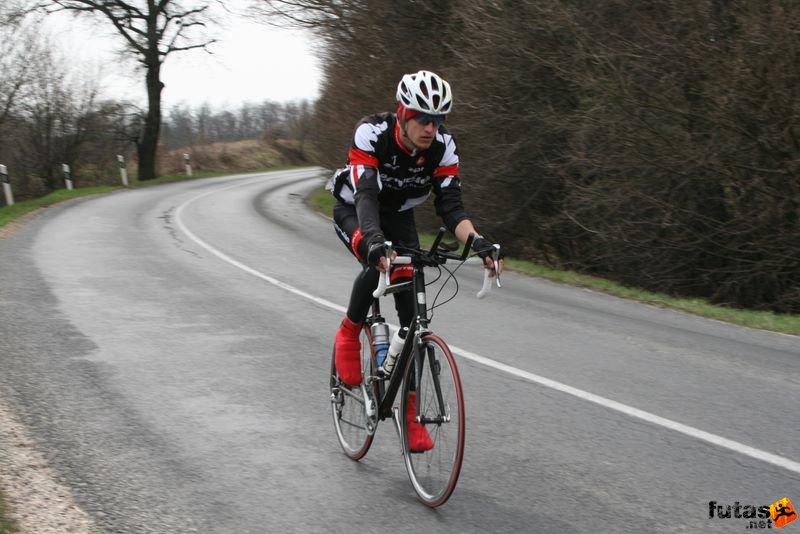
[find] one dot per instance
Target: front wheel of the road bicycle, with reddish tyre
(440, 403)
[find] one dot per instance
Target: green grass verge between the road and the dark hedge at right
(788, 324)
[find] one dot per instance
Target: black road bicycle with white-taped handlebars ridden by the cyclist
(425, 366)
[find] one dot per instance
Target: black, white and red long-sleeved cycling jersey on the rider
(382, 176)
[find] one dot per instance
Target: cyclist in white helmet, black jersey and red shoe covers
(394, 162)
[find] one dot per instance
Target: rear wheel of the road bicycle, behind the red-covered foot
(354, 409)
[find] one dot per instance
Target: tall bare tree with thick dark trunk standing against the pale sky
(151, 30)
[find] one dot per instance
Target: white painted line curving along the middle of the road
(696, 433)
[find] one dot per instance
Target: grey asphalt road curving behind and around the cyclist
(169, 348)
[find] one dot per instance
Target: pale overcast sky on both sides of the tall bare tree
(251, 62)
